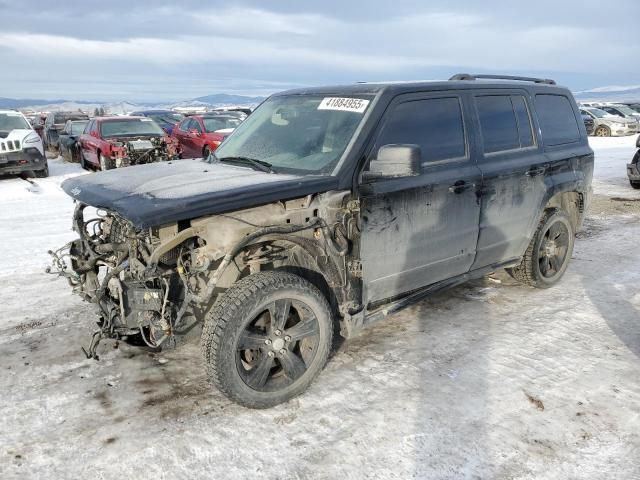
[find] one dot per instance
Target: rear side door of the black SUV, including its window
(515, 175)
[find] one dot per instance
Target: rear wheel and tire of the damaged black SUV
(549, 252)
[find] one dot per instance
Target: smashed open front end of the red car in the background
(138, 151)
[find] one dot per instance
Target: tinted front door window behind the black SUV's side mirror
(434, 124)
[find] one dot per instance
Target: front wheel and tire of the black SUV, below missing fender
(267, 338)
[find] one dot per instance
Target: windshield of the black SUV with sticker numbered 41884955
(297, 133)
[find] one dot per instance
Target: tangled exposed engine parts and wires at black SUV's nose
(109, 266)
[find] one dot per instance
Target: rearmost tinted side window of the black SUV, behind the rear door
(557, 120)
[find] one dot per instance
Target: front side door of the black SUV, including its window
(419, 230)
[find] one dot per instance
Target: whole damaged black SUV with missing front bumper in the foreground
(330, 208)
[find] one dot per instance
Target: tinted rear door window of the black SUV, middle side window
(505, 122)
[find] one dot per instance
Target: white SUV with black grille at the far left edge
(21, 148)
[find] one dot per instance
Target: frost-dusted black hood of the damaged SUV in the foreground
(165, 192)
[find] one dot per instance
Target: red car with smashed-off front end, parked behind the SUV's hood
(113, 142)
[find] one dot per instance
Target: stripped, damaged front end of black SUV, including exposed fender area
(153, 285)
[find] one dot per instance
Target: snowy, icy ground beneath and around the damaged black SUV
(488, 380)
